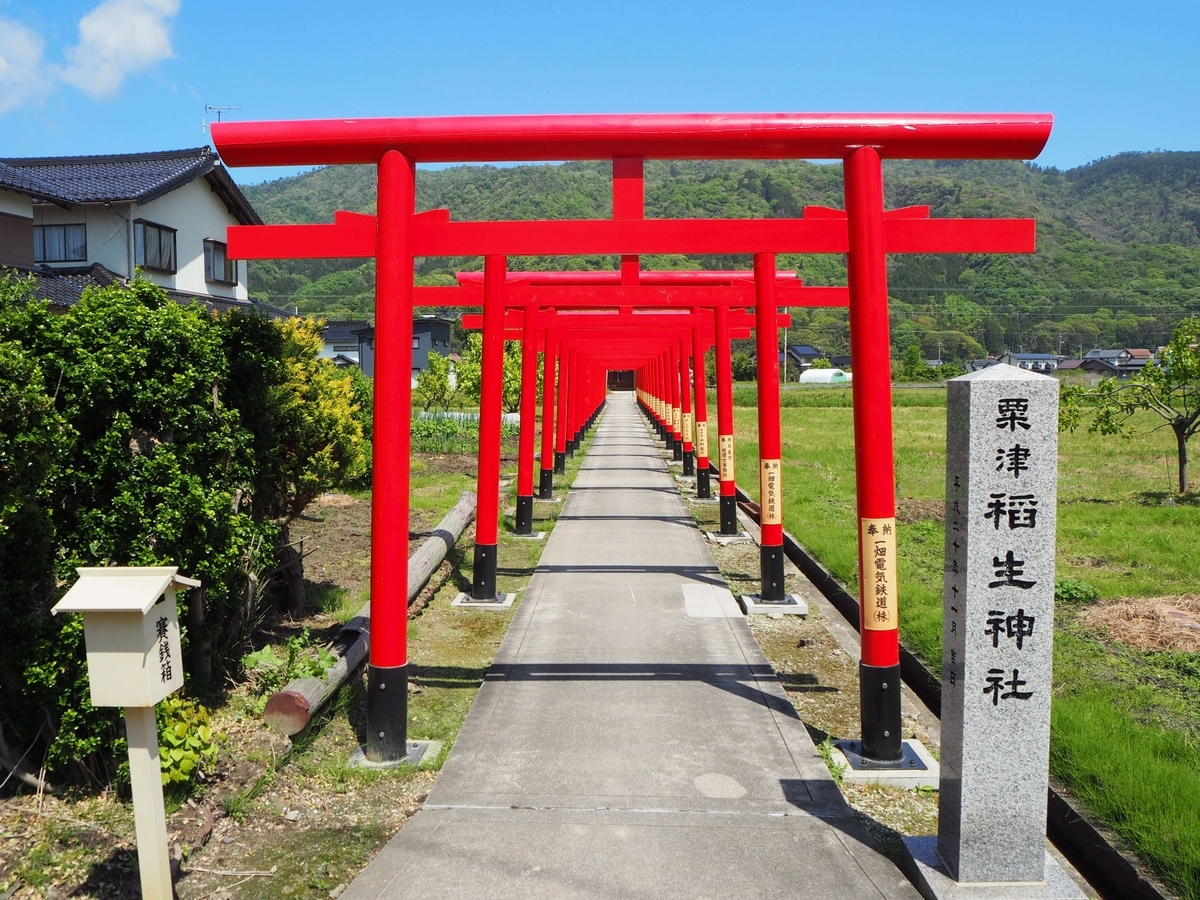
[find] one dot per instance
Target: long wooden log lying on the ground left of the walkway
(291, 710)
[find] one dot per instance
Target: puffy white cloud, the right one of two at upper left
(116, 40)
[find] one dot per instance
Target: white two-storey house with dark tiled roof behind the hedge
(101, 218)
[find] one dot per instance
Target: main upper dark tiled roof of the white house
(134, 177)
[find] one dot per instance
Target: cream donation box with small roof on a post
(131, 631)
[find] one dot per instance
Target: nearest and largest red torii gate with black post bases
(398, 235)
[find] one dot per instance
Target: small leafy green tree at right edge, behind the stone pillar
(1169, 388)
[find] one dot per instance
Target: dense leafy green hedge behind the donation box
(137, 431)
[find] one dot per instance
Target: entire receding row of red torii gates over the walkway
(711, 310)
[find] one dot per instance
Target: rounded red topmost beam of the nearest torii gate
(673, 136)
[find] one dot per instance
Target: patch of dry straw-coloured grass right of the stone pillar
(1163, 623)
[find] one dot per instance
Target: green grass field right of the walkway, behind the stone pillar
(1126, 729)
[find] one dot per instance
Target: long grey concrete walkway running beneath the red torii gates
(631, 740)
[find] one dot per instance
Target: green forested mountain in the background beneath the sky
(1118, 262)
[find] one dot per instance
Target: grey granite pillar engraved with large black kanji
(1001, 481)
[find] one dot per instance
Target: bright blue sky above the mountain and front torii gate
(119, 76)
